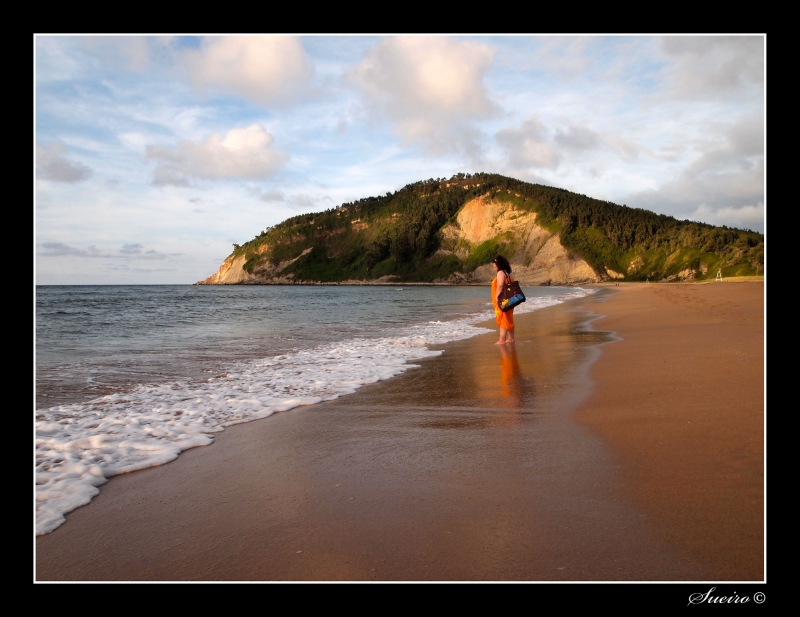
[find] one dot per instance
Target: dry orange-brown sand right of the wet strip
(680, 404)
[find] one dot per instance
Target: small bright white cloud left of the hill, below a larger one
(241, 153)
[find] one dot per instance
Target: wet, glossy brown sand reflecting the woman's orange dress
(469, 467)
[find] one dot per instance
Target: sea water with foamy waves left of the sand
(129, 376)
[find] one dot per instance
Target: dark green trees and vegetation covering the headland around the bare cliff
(397, 234)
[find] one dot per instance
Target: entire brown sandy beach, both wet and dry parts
(574, 455)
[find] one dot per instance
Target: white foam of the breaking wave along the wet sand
(79, 446)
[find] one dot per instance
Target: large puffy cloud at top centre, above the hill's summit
(430, 87)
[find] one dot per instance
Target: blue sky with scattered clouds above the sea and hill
(154, 154)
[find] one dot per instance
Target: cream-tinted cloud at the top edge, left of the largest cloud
(263, 69)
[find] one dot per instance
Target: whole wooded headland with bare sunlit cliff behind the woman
(448, 231)
